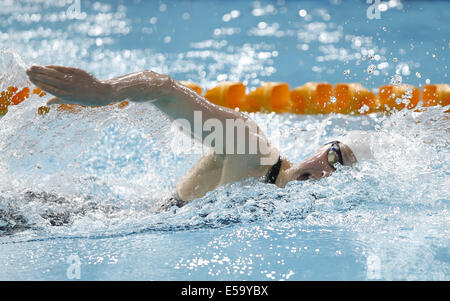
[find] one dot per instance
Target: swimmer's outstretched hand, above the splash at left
(71, 85)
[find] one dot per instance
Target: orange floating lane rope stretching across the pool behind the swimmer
(311, 98)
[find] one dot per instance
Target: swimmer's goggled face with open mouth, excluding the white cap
(320, 164)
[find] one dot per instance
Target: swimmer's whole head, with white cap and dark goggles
(346, 150)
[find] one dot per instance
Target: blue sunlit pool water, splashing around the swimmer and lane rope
(82, 187)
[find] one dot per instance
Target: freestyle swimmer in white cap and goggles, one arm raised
(224, 164)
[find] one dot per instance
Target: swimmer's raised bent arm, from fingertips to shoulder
(76, 86)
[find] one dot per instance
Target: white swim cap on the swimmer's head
(360, 144)
